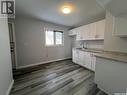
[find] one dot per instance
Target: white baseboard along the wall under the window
(22, 67)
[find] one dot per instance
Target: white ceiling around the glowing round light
(84, 12)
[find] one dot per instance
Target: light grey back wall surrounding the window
(30, 42)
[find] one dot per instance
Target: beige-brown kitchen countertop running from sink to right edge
(116, 56)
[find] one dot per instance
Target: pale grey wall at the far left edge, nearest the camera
(5, 58)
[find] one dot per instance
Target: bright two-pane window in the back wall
(53, 38)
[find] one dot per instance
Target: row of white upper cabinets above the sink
(93, 31)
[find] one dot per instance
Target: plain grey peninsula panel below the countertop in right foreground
(111, 76)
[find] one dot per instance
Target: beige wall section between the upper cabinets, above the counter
(111, 42)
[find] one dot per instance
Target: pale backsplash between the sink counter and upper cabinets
(89, 44)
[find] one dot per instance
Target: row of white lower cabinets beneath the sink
(85, 59)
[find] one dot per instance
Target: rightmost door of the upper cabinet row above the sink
(100, 29)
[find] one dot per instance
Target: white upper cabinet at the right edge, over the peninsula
(120, 26)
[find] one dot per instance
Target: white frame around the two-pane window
(54, 32)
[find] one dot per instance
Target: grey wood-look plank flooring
(57, 78)
